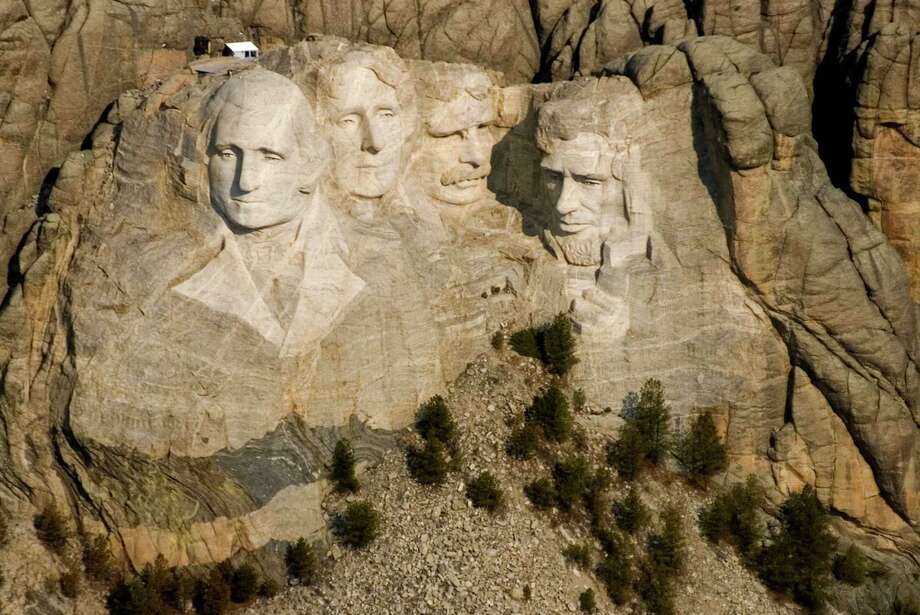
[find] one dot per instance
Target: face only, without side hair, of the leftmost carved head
(255, 168)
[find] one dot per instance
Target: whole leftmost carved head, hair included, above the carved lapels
(263, 152)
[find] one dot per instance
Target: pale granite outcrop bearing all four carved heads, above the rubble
(251, 262)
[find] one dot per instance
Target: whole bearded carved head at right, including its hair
(585, 149)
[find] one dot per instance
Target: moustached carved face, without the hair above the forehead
(455, 151)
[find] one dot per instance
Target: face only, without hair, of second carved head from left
(366, 131)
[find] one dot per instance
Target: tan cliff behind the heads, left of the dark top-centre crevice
(66, 61)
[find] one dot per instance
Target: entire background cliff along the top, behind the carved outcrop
(67, 61)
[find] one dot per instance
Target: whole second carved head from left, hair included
(367, 106)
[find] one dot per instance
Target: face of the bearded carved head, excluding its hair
(587, 199)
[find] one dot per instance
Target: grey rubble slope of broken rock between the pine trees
(438, 554)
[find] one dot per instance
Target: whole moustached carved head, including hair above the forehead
(458, 106)
